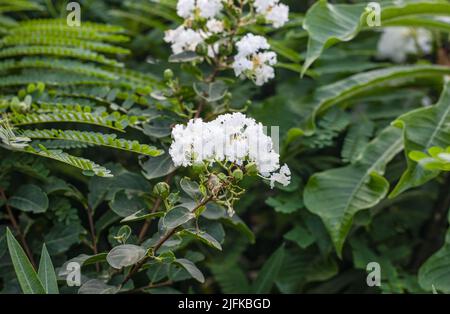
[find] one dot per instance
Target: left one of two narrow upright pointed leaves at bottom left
(26, 275)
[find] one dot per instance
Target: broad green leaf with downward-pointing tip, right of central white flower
(336, 195)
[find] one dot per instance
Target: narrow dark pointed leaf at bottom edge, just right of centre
(268, 274)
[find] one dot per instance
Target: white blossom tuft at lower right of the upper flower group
(252, 61)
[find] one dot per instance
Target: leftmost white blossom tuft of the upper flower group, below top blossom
(183, 39)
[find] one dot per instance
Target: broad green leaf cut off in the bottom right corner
(435, 271)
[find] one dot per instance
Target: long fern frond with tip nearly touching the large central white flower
(107, 140)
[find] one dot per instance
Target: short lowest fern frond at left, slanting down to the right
(88, 167)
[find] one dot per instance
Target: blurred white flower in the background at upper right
(396, 43)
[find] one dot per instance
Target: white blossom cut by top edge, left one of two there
(205, 8)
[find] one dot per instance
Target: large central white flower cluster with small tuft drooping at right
(230, 137)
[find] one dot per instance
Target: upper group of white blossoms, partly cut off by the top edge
(250, 61)
